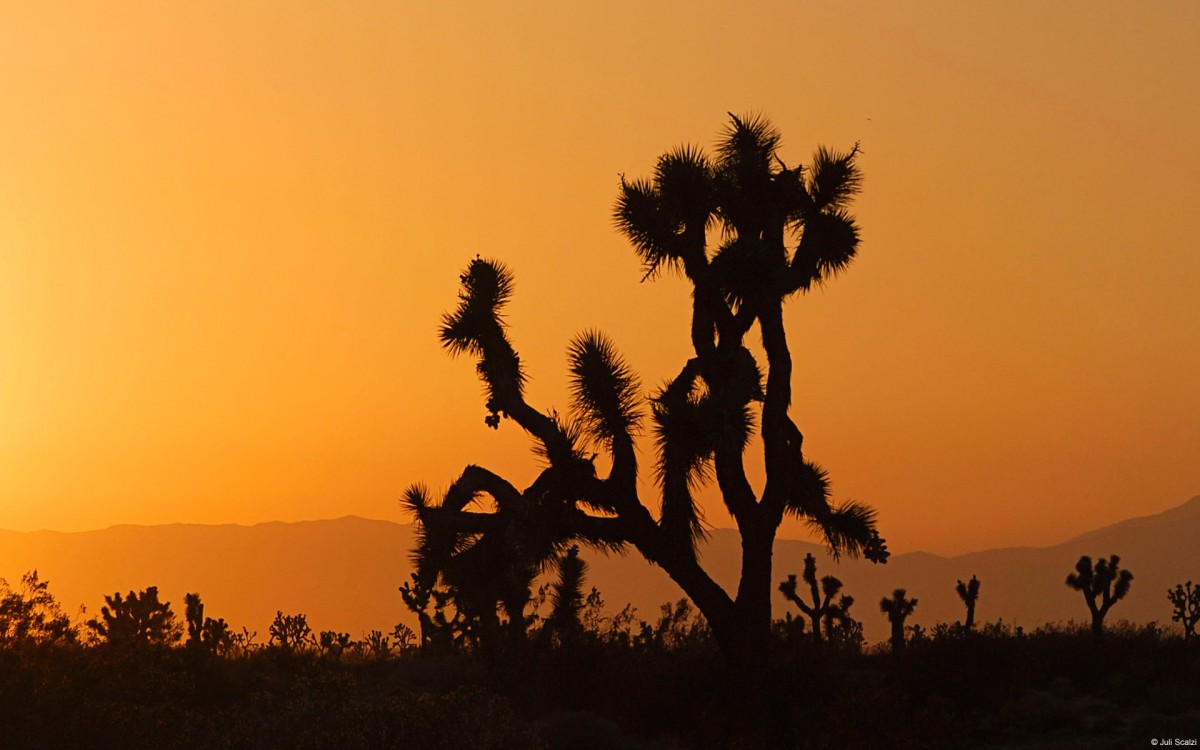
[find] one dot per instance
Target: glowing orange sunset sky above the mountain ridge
(229, 231)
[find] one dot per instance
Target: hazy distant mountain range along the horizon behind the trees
(344, 574)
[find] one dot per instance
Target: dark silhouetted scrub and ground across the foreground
(597, 681)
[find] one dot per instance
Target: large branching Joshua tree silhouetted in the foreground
(778, 231)
